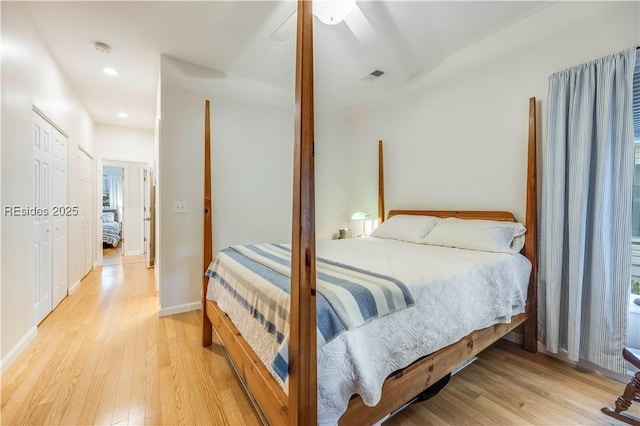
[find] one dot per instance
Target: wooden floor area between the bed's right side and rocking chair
(507, 385)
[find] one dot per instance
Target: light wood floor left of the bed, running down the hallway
(104, 357)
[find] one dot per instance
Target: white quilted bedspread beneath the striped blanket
(456, 292)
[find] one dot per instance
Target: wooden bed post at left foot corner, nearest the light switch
(208, 232)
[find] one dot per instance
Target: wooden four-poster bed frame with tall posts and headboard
(299, 407)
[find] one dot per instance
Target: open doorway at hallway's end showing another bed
(112, 214)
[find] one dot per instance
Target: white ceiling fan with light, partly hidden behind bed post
(332, 12)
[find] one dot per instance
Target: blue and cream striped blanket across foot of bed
(259, 278)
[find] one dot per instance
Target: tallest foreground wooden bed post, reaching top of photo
(302, 331)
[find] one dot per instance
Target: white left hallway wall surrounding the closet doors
(29, 77)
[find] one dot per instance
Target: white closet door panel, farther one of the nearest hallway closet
(61, 212)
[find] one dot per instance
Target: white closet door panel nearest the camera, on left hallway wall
(42, 146)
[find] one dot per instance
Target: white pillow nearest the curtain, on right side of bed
(485, 235)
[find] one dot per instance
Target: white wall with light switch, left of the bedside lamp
(252, 159)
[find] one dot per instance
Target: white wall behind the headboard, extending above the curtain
(458, 140)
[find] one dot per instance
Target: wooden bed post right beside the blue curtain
(530, 338)
